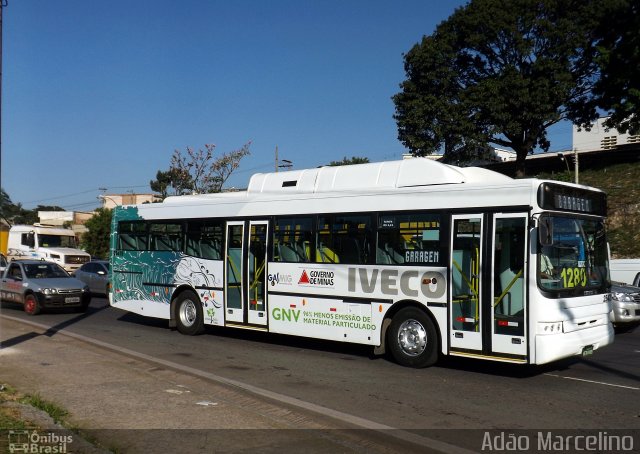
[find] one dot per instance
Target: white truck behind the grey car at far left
(42, 242)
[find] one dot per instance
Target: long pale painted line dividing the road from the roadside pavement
(430, 443)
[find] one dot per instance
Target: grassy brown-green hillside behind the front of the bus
(621, 182)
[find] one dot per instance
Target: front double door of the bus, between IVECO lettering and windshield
(488, 292)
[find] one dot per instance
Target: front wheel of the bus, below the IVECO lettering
(412, 338)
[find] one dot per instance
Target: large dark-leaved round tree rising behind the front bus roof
(497, 72)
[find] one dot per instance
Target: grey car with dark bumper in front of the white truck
(38, 284)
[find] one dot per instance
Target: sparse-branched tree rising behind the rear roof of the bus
(198, 171)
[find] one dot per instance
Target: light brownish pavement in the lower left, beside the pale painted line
(124, 404)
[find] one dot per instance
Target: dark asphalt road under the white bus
(599, 392)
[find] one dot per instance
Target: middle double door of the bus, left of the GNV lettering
(245, 268)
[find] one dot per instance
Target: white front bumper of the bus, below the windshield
(581, 342)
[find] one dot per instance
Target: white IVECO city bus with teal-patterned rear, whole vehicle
(412, 257)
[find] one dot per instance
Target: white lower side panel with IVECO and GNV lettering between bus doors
(347, 303)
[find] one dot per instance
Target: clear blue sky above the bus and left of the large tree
(97, 95)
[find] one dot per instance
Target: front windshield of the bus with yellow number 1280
(572, 254)
